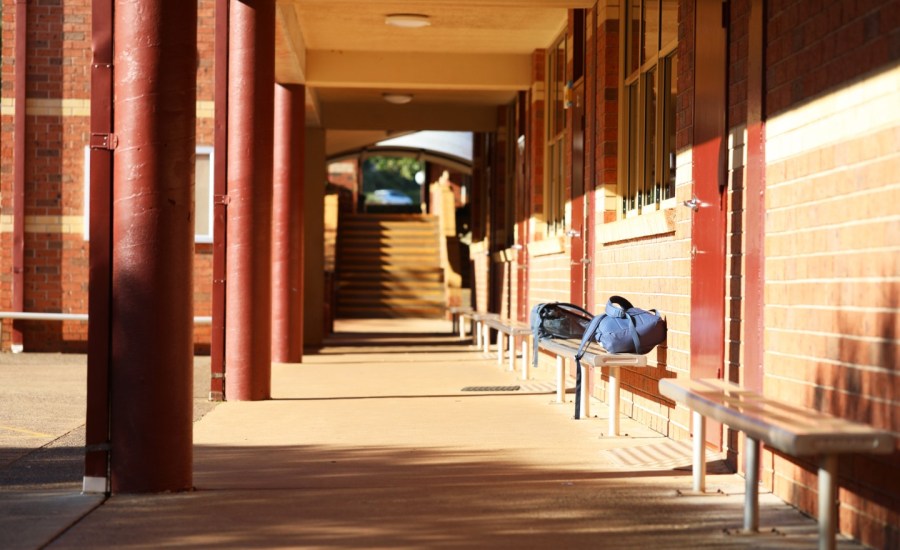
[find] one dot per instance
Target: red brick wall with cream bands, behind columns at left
(58, 125)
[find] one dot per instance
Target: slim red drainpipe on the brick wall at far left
(18, 252)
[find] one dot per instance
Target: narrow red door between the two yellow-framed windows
(577, 233)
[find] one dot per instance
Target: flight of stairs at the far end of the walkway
(388, 266)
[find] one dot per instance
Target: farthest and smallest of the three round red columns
(287, 225)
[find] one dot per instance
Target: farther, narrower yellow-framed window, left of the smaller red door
(555, 188)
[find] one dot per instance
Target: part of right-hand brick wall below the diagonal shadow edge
(833, 281)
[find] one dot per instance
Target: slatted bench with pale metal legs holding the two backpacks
(594, 357)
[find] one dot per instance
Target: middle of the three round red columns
(248, 290)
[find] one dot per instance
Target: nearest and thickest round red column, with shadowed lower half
(151, 378)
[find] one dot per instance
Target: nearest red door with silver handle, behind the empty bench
(709, 202)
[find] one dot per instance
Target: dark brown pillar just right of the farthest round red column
(313, 237)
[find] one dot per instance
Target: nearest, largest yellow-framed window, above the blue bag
(647, 175)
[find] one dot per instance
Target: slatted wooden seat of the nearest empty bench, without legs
(794, 430)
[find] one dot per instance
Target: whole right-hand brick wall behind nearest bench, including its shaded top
(832, 241)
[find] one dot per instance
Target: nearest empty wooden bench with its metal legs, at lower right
(788, 428)
